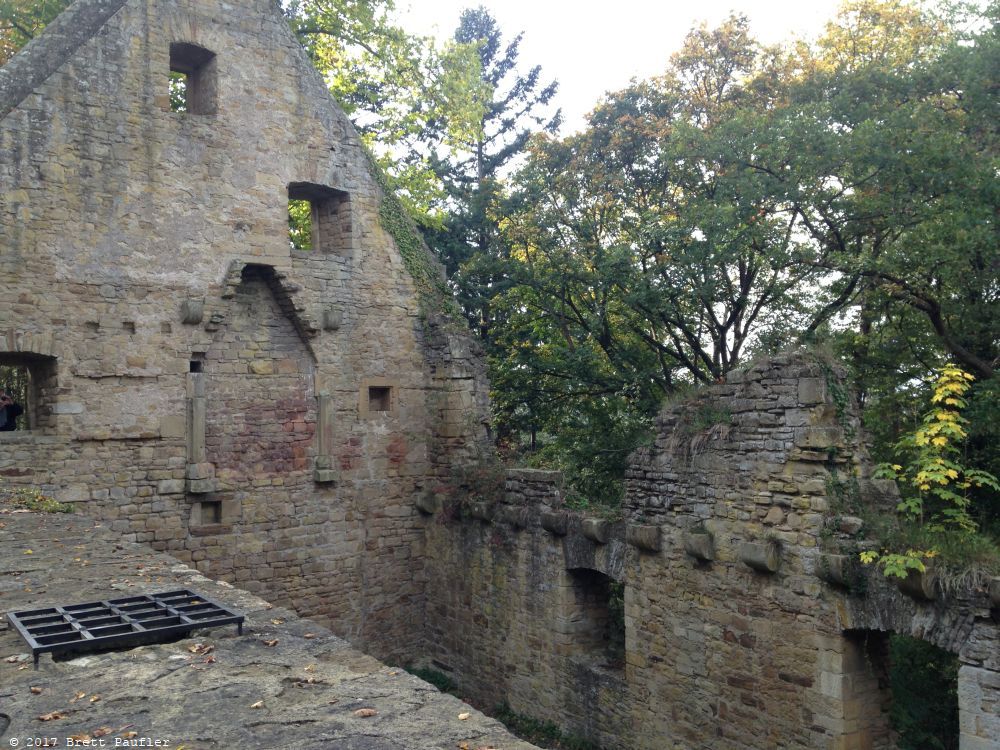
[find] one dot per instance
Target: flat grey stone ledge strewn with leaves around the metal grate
(302, 692)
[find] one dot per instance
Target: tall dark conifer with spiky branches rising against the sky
(519, 106)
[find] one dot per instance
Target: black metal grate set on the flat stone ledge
(119, 623)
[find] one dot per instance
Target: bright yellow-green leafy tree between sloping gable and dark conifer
(404, 93)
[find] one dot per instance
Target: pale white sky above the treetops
(591, 48)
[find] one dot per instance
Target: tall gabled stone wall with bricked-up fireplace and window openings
(205, 385)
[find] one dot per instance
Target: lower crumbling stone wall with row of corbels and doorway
(764, 471)
